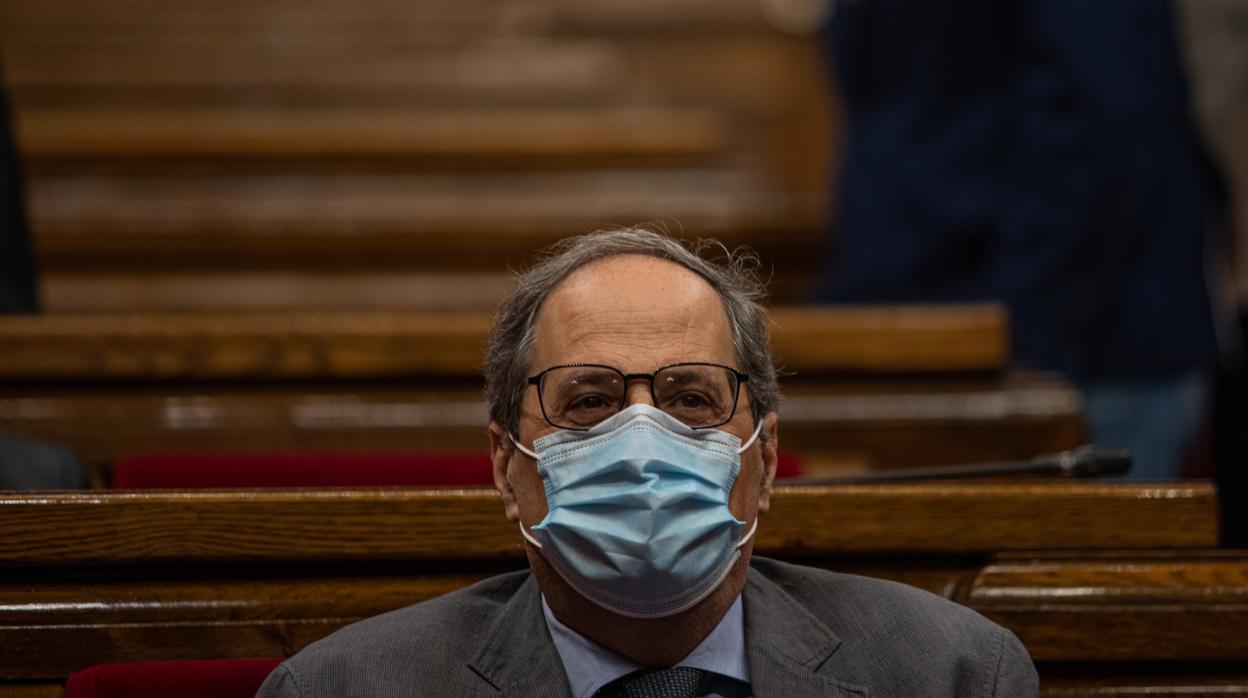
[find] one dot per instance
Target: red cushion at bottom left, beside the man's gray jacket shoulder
(185, 679)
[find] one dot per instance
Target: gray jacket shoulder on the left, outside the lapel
(420, 650)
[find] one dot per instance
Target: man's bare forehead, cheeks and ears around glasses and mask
(637, 314)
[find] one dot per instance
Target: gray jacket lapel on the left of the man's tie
(519, 657)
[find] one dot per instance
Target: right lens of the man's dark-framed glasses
(700, 396)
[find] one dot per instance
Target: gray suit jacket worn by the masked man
(808, 632)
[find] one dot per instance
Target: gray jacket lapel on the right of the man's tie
(788, 647)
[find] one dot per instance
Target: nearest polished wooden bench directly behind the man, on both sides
(1115, 589)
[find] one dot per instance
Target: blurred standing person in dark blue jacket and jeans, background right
(1041, 154)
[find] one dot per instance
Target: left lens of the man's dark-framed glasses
(581, 396)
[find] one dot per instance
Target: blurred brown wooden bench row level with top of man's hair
(353, 218)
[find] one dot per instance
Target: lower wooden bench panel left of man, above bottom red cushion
(52, 629)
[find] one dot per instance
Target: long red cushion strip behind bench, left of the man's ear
(301, 470)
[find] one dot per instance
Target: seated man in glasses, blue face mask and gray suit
(635, 444)
